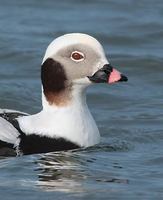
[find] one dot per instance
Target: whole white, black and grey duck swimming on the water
(71, 63)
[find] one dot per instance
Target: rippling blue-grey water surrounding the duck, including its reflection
(127, 164)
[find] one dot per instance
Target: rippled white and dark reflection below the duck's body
(60, 172)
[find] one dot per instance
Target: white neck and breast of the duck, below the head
(73, 121)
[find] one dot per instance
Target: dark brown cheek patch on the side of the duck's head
(54, 83)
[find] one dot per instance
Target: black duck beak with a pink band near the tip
(107, 74)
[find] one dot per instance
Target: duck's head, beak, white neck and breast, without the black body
(71, 63)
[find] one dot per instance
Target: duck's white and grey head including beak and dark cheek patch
(73, 62)
